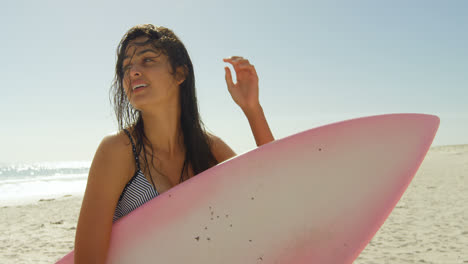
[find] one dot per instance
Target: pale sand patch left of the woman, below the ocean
(38, 233)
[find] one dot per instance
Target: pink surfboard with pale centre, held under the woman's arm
(315, 197)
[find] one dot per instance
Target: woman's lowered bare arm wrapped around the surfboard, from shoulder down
(106, 179)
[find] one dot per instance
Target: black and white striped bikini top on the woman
(137, 192)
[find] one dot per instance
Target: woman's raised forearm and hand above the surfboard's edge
(245, 94)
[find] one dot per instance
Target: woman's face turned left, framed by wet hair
(148, 81)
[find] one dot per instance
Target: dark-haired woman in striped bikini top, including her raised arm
(161, 140)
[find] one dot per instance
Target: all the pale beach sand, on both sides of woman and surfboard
(428, 225)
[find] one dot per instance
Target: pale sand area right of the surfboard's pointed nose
(430, 222)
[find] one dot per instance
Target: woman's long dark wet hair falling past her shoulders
(197, 143)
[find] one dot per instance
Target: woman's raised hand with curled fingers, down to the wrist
(245, 91)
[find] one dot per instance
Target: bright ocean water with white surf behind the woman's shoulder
(22, 183)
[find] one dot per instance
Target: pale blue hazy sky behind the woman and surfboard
(318, 62)
